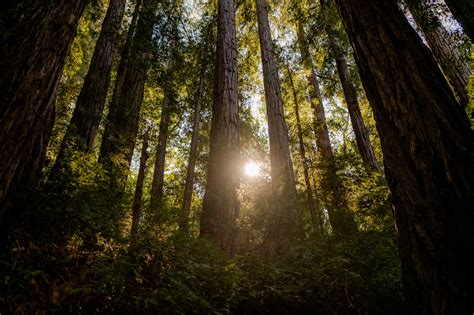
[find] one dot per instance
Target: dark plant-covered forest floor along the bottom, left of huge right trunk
(360, 275)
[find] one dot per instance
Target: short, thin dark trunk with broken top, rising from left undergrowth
(137, 200)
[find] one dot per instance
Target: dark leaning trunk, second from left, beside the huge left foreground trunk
(82, 129)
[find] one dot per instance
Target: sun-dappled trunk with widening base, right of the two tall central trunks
(340, 216)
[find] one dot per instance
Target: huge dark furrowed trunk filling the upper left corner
(35, 38)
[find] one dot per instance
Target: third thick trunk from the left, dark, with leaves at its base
(121, 127)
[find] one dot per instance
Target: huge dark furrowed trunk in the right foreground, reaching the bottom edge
(428, 152)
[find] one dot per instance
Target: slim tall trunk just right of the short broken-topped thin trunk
(156, 194)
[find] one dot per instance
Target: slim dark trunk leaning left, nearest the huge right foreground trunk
(361, 134)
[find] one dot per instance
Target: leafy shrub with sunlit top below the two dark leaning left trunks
(81, 200)
